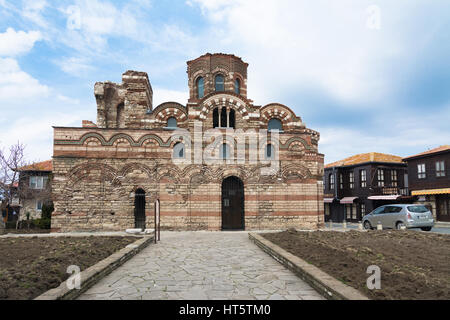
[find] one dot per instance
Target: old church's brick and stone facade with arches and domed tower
(98, 168)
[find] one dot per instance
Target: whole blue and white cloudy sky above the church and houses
(369, 75)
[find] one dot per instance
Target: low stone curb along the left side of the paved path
(95, 273)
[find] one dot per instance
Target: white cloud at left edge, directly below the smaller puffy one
(17, 86)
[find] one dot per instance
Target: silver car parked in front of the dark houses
(397, 215)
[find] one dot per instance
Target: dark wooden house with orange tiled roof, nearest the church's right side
(356, 185)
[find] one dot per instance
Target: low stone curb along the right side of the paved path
(325, 284)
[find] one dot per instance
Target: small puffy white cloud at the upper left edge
(14, 43)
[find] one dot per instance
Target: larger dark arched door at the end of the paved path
(233, 204)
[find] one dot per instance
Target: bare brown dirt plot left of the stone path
(31, 266)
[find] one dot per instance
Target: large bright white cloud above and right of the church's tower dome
(322, 44)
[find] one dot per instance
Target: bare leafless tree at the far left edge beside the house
(10, 163)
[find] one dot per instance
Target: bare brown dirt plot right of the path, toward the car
(414, 265)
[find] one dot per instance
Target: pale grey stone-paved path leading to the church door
(202, 265)
